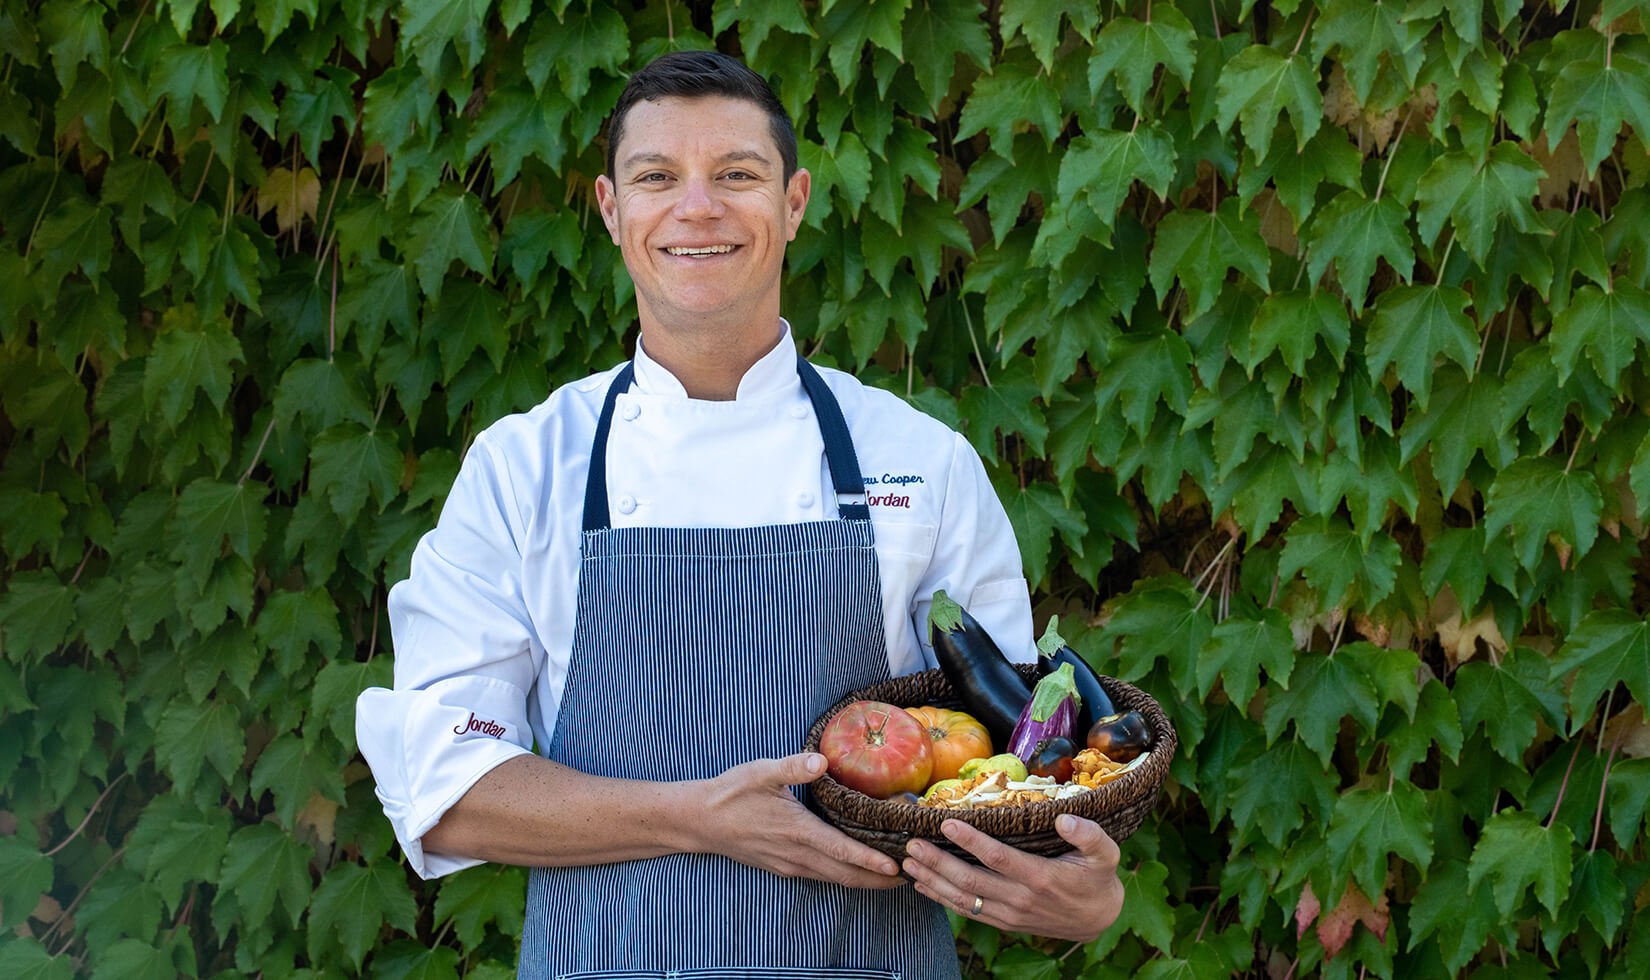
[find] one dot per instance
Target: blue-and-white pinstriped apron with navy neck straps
(695, 651)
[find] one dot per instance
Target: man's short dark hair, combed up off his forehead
(697, 75)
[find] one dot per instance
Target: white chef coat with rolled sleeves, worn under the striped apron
(484, 624)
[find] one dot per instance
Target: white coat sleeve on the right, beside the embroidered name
(978, 562)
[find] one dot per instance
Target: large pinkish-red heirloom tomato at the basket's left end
(877, 750)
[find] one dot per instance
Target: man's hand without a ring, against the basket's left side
(752, 816)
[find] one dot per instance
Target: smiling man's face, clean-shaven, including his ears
(700, 210)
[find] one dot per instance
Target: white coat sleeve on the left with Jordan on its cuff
(466, 657)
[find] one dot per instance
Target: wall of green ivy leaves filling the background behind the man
(1304, 339)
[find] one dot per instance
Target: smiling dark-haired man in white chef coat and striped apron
(666, 573)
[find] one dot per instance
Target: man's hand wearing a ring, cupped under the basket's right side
(1072, 897)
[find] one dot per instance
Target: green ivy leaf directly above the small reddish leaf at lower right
(1374, 826)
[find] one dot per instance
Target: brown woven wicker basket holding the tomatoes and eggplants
(1120, 806)
